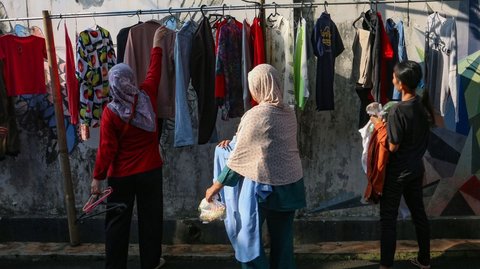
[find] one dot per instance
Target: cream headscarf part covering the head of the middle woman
(265, 86)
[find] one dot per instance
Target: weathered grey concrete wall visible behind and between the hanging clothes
(31, 183)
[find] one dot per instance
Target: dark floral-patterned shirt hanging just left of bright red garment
(229, 65)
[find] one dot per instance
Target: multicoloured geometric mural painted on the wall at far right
(452, 161)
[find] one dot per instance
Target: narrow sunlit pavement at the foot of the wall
(325, 251)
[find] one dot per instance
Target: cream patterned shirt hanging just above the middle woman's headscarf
(280, 55)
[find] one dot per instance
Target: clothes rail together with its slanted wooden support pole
(55, 80)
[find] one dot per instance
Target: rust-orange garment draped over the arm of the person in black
(377, 159)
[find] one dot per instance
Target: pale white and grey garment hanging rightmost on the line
(441, 62)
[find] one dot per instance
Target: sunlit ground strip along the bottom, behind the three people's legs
(446, 253)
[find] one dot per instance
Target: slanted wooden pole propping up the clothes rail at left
(61, 136)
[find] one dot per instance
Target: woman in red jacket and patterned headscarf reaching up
(128, 156)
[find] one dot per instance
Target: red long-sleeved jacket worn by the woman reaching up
(126, 150)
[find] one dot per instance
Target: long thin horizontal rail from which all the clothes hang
(213, 8)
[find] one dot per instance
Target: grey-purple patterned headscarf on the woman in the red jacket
(125, 94)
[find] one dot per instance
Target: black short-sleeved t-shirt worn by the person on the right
(409, 128)
